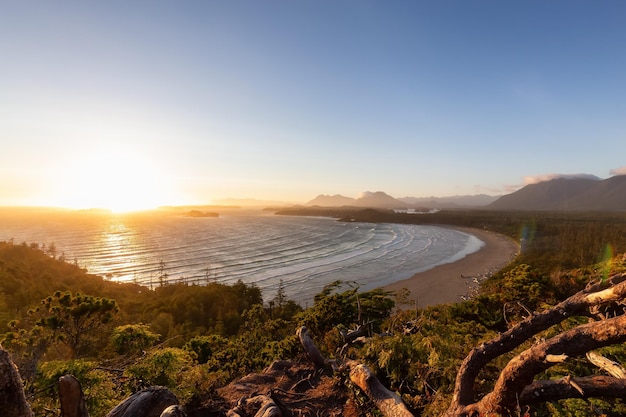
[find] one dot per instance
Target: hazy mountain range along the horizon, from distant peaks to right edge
(560, 194)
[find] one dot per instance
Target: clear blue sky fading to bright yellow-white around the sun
(134, 104)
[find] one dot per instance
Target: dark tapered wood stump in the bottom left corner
(12, 399)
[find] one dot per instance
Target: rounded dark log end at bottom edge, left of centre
(149, 402)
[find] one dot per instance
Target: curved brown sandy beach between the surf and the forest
(449, 282)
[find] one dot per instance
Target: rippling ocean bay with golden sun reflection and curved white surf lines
(303, 254)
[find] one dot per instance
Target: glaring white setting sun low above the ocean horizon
(117, 180)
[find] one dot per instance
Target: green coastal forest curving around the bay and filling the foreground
(218, 348)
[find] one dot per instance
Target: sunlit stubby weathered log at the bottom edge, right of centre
(388, 402)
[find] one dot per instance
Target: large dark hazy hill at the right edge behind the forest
(567, 194)
